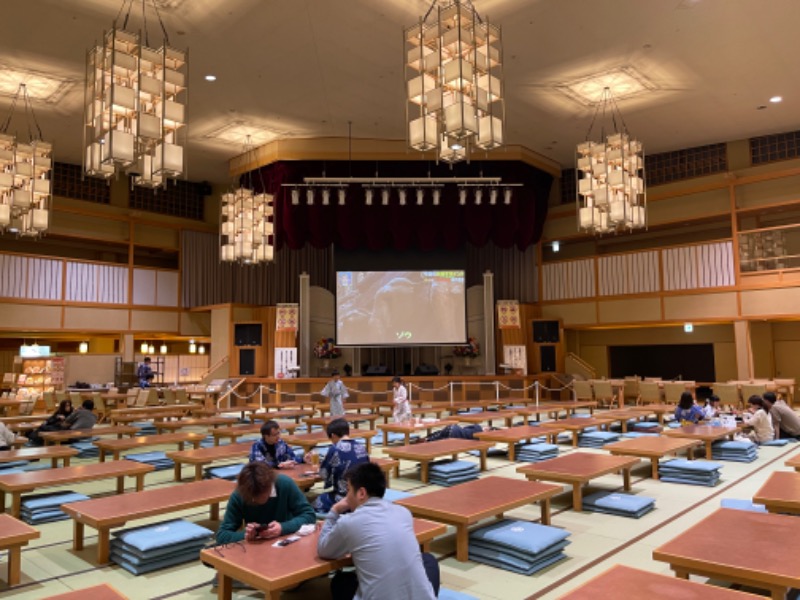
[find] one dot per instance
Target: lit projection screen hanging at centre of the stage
(376, 308)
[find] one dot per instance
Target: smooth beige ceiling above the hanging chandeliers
(304, 68)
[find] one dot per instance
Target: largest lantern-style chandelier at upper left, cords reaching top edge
(135, 105)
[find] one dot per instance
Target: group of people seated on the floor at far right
(769, 416)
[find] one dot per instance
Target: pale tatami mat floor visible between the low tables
(50, 566)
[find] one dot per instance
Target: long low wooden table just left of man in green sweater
(116, 511)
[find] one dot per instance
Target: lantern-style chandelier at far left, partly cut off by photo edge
(25, 175)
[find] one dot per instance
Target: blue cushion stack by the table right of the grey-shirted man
(518, 546)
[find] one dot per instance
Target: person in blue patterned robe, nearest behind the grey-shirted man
(343, 454)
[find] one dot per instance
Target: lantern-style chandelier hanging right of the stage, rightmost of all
(610, 176)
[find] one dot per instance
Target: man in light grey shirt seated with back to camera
(380, 537)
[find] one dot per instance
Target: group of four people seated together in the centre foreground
(377, 533)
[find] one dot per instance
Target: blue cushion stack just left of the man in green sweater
(151, 547)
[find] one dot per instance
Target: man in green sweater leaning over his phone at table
(264, 505)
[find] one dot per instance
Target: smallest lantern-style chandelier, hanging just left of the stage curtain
(246, 228)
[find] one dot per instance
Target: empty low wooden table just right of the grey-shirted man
(467, 503)
